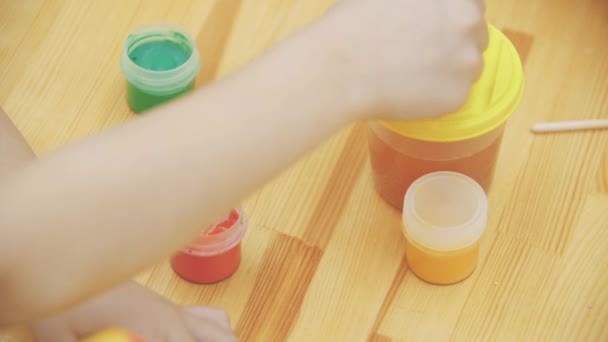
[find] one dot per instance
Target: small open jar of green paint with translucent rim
(160, 62)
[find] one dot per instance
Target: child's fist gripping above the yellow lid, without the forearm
(407, 59)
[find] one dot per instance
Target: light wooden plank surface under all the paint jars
(324, 257)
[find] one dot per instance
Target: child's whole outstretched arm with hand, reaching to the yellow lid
(92, 214)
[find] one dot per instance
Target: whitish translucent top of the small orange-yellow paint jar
(445, 211)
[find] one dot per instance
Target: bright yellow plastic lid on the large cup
(493, 98)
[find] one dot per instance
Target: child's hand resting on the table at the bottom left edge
(141, 313)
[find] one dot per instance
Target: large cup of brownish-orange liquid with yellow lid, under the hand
(467, 141)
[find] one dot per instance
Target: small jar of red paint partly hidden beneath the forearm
(216, 254)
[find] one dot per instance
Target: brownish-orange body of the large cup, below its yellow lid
(397, 160)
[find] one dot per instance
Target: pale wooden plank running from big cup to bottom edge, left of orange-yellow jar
(356, 271)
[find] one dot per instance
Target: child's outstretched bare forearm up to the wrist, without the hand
(93, 214)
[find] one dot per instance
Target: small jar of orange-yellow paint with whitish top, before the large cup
(444, 217)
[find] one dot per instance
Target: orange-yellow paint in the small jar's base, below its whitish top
(439, 267)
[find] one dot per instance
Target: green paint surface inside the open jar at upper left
(160, 55)
